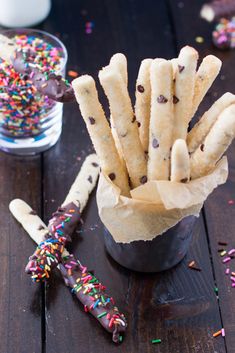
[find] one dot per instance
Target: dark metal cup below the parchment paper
(162, 253)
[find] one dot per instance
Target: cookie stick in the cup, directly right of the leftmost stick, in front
(124, 121)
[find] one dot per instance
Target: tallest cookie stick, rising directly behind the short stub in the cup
(184, 91)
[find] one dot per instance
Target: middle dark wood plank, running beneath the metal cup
(179, 305)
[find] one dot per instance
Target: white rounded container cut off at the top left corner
(23, 13)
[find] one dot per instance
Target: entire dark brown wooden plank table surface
(179, 306)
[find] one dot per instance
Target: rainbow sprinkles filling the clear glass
(23, 110)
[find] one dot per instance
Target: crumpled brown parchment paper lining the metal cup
(155, 206)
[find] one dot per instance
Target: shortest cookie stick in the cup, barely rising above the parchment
(180, 166)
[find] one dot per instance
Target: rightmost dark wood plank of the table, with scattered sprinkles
(219, 214)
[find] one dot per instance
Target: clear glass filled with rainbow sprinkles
(29, 121)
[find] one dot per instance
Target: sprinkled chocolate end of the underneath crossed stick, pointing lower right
(91, 293)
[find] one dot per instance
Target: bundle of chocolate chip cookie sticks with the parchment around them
(154, 172)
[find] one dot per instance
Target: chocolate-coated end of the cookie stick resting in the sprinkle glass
(51, 85)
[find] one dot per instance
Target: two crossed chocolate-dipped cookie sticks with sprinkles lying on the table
(51, 252)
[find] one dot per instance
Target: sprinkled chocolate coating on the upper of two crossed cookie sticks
(48, 253)
